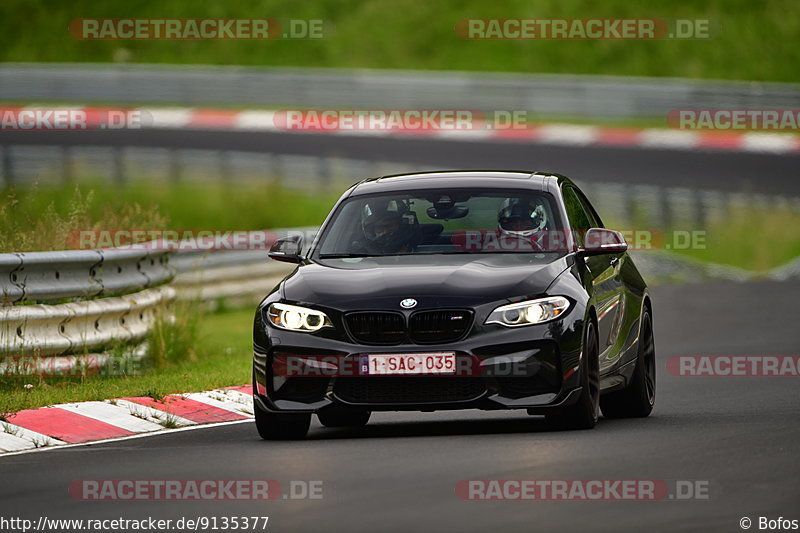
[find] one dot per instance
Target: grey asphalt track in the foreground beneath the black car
(398, 474)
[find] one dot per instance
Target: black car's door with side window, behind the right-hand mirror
(604, 281)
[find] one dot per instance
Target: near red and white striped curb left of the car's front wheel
(83, 422)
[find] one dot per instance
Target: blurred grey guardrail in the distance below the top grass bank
(588, 96)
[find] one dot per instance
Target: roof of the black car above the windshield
(501, 179)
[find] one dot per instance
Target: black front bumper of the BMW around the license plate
(534, 368)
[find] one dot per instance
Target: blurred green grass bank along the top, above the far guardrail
(751, 40)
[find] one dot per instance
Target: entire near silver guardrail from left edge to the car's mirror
(41, 334)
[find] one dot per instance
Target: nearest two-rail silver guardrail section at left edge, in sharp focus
(112, 298)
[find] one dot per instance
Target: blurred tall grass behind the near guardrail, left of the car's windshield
(42, 218)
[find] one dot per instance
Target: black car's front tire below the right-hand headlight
(583, 414)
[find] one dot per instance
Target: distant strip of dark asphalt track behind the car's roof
(725, 171)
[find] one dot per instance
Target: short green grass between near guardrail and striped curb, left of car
(220, 356)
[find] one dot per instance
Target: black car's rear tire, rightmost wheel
(638, 398)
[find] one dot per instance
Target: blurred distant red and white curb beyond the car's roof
(547, 134)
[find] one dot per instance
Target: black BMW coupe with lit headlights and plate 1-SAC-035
(455, 290)
